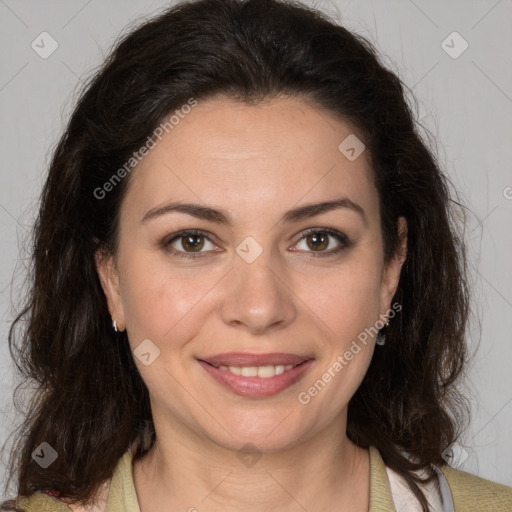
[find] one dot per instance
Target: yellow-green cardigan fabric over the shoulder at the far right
(469, 490)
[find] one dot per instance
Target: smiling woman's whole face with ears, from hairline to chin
(251, 288)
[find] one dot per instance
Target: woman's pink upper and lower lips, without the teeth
(258, 387)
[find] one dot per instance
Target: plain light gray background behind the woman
(466, 102)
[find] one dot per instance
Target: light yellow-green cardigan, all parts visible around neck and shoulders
(470, 493)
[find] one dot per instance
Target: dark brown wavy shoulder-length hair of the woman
(90, 402)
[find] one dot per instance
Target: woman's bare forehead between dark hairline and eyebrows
(281, 152)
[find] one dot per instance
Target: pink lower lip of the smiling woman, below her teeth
(257, 387)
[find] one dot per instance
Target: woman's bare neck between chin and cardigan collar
(326, 472)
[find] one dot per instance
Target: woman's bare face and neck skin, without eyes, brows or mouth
(256, 163)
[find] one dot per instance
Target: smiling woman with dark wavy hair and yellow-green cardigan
(249, 291)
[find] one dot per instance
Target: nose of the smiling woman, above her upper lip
(258, 297)
